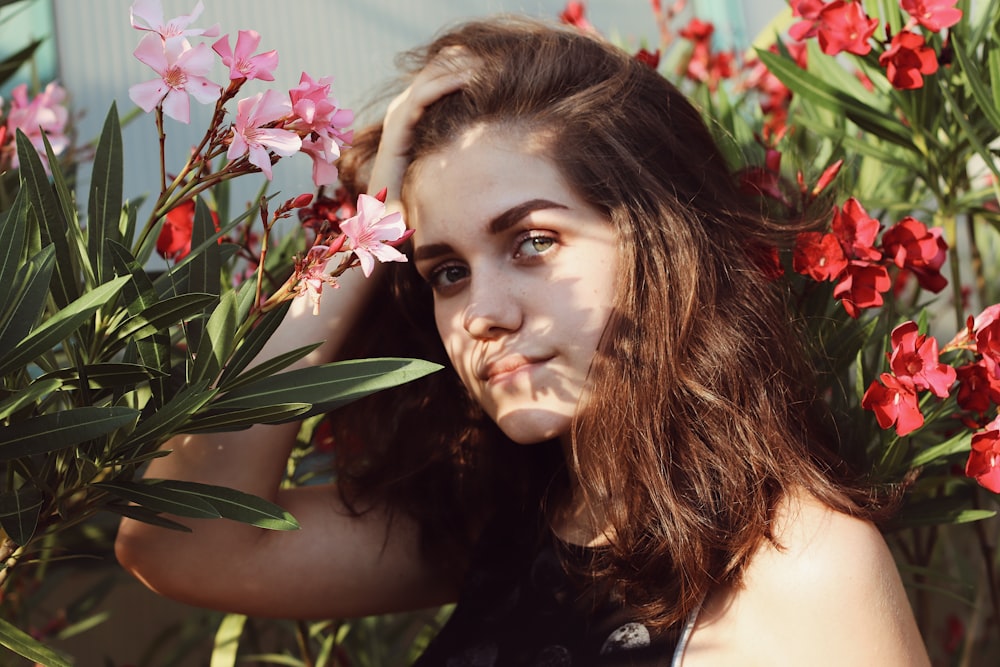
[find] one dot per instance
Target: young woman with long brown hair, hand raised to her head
(619, 465)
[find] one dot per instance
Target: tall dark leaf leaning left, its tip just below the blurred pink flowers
(54, 226)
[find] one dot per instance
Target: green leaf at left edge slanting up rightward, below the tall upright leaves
(26, 298)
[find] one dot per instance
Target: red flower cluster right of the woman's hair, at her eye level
(850, 257)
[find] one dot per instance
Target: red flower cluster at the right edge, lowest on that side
(915, 367)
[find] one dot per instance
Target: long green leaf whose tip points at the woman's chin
(328, 386)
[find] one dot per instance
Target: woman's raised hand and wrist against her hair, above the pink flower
(448, 72)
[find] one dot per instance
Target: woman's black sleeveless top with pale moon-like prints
(520, 605)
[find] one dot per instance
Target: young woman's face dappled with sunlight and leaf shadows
(523, 272)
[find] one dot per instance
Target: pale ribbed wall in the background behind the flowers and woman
(352, 40)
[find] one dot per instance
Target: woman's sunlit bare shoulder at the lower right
(826, 592)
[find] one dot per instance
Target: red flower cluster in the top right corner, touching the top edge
(844, 26)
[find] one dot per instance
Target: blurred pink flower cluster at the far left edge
(45, 114)
